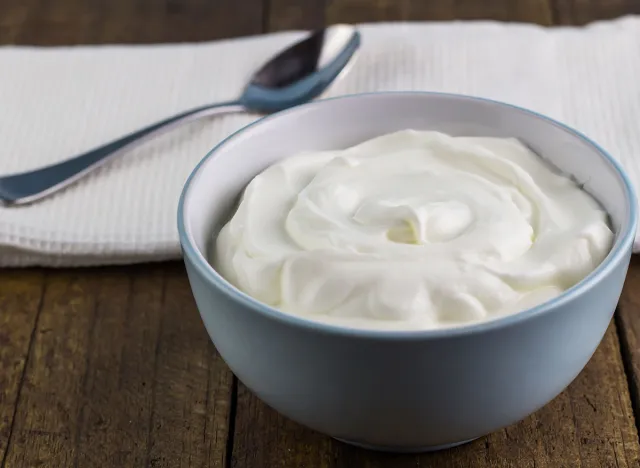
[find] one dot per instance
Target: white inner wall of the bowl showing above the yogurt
(338, 123)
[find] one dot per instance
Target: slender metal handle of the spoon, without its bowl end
(27, 187)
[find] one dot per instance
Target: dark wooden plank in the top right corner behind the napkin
(585, 11)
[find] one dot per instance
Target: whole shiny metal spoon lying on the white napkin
(296, 75)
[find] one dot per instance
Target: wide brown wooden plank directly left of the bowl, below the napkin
(121, 373)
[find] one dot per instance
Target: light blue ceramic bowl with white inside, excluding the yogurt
(402, 391)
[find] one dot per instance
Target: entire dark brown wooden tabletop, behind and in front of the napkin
(112, 366)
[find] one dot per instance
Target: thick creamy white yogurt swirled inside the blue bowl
(412, 230)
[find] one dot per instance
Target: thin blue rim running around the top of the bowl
(622, 244)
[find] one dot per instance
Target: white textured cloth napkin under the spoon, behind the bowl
(58, 102)
